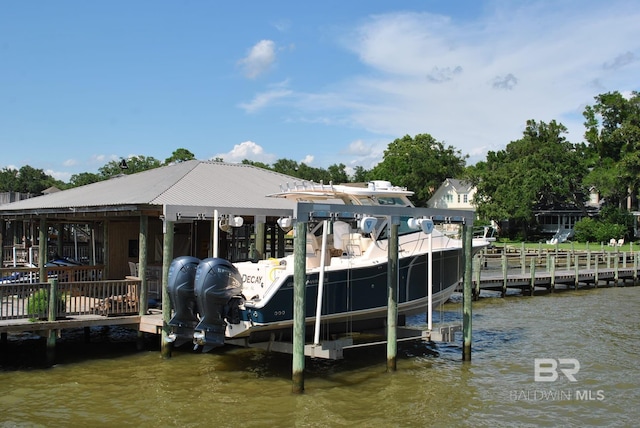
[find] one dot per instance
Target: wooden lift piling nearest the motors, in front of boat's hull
(299, 304)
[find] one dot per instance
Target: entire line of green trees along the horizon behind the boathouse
(541, 170)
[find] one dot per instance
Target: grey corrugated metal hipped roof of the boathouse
(190, 183)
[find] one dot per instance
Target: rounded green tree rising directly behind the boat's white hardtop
(420, 164)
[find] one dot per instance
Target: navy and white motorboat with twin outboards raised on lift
(217, 302)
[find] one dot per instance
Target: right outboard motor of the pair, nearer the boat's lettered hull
(218, 288)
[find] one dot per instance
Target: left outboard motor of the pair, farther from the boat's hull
(182, 272)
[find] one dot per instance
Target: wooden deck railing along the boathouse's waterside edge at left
(28, 300)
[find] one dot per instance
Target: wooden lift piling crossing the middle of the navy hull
(392, 294)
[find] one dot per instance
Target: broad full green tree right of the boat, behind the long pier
(541, 170)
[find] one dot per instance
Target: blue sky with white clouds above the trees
(86, 82)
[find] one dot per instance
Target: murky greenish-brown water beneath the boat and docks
(107, 383)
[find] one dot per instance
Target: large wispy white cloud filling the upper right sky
(474, 84)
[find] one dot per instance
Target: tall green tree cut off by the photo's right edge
(613, 136)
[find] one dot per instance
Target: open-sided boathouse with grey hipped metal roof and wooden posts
(119, 229)
